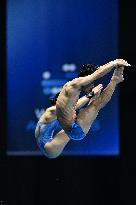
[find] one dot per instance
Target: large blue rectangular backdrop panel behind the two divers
(46, 43)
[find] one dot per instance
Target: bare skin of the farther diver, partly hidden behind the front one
(56, 146)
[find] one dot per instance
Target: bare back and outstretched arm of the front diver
(69, 95)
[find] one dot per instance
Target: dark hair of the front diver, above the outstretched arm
(87, 69)
